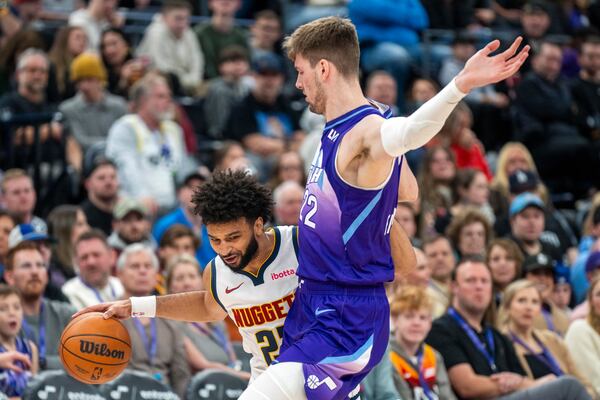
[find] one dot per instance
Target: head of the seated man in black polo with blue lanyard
(473, 287)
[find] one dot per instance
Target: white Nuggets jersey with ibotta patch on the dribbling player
(258, 304)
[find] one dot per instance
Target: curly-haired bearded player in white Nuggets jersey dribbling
(253, 278)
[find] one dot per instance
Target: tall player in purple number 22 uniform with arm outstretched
(338, 326)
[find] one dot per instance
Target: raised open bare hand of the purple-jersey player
(482, 69)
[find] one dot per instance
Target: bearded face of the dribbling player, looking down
(235, 242)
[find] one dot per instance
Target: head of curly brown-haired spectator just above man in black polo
(470, 232)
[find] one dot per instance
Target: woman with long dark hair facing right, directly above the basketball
(65, 224)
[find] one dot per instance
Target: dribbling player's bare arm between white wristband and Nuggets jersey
(188, 306)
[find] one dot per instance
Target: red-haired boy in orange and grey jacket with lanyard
(411, 313)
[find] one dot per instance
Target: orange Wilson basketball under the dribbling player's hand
(93, 349)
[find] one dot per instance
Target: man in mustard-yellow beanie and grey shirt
(92, 111)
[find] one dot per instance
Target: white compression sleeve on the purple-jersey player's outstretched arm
(401, 134)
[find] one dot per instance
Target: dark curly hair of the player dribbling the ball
(231, 195)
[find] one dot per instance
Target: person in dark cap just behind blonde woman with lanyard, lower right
(541, 270)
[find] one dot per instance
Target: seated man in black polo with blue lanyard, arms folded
(481, 362)
